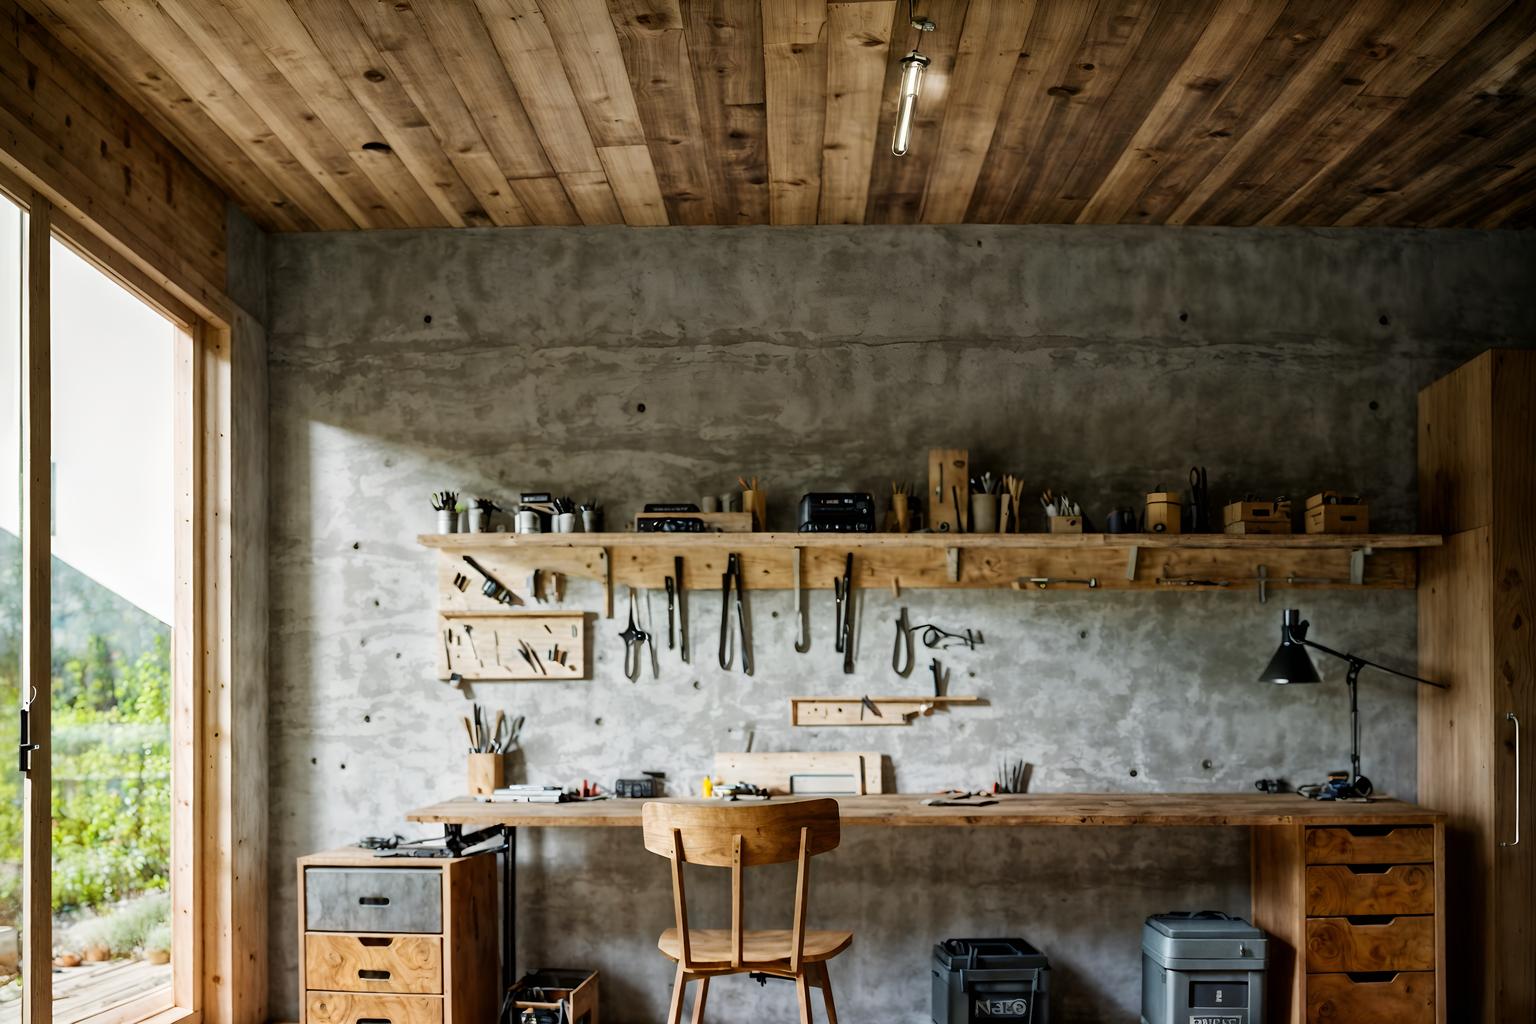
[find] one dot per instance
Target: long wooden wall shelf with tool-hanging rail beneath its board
(886, 561)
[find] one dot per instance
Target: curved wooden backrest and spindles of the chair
(741, 836)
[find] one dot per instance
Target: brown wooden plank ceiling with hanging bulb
(346, 114)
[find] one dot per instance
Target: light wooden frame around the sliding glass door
(202, 785)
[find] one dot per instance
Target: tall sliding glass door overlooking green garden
(88, 444)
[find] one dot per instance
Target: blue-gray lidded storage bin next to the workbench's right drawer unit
(1202, 968)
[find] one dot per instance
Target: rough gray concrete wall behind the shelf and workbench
(661, 365)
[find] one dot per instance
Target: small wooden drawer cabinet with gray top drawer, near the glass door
(399, 942)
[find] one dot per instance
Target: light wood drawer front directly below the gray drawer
(374, 963)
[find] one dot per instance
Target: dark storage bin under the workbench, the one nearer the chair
(979, 980)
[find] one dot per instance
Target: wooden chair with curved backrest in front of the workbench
(743, 836)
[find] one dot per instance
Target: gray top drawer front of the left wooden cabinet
(374, 900)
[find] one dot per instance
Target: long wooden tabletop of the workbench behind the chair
(909, 810)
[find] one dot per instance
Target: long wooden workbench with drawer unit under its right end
(1351, 894)
